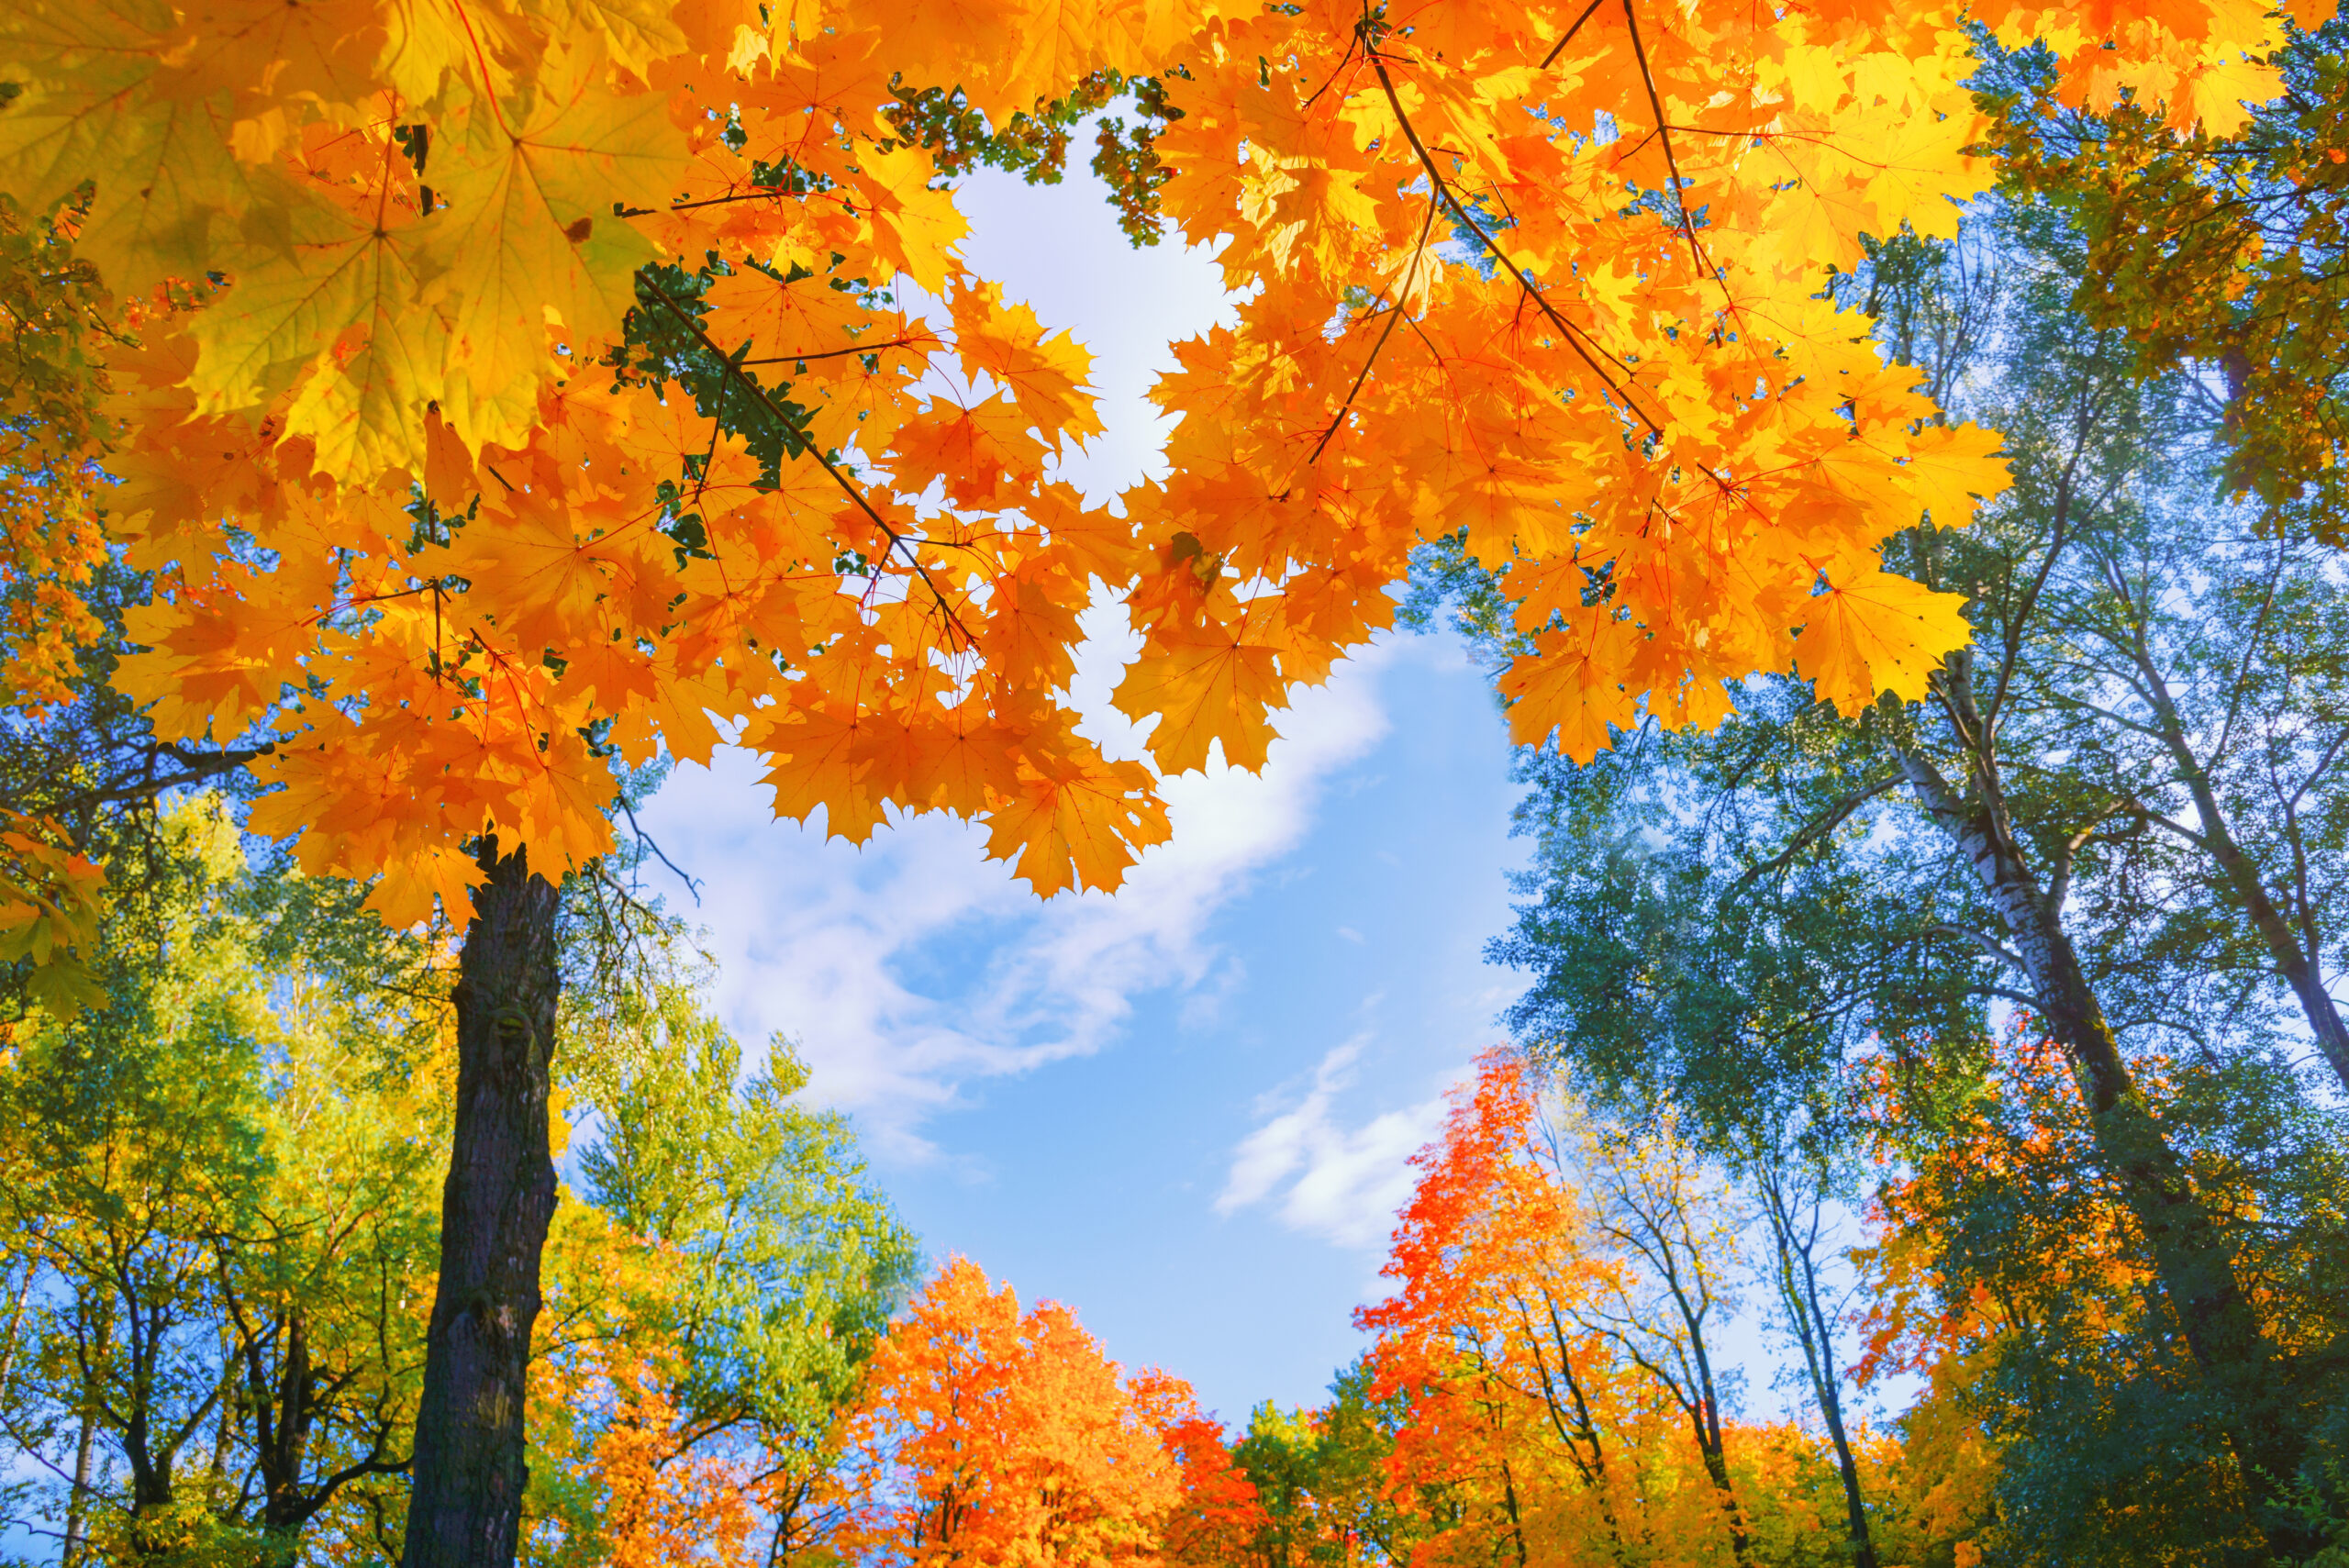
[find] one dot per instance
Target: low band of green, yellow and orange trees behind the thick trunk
(224, 1231)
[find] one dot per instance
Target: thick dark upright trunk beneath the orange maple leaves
(469, 1471)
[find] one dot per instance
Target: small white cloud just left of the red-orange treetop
(1321, 1177)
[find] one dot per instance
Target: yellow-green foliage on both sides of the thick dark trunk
(222, 1201)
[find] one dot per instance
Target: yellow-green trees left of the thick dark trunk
(222, 1217)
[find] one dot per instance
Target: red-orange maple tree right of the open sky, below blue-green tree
(1549, 1339)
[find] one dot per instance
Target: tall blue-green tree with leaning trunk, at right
(1744, 924)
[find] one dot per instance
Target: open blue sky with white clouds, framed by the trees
(1187, 1109)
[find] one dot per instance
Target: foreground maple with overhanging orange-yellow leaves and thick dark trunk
(525, 384)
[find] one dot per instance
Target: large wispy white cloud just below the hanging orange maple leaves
(915, 966)
